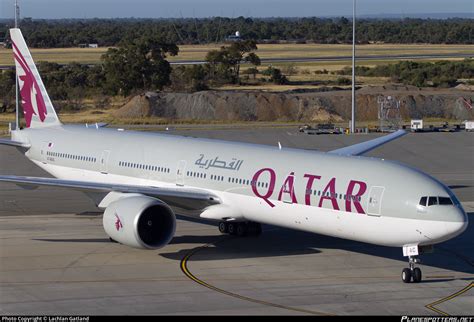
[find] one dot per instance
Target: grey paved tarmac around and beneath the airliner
(55, 257)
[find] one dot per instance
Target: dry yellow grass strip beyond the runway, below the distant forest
(198, 52)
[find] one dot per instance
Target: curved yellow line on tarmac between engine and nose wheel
(185, 270)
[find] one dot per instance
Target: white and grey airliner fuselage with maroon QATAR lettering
(357, 198)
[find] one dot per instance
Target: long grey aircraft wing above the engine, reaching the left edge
(184, 198)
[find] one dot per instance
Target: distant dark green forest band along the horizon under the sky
(109, 32)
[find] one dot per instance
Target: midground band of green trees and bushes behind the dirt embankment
(139, 64)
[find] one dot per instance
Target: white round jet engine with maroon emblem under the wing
(140, 222)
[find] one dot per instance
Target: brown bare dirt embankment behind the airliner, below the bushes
(308, 106)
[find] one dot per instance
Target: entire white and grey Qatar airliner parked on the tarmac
(143, 179)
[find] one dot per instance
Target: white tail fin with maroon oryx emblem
(37, 107)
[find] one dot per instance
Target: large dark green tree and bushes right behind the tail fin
(135, 65)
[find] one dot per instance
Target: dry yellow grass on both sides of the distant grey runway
(305, 71)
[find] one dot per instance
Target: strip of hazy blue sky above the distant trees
(235, 8)
